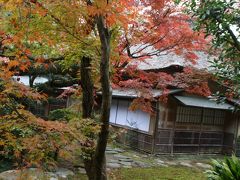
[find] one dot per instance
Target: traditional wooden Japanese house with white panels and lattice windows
(185, 124)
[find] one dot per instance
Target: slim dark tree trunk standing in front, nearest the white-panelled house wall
(99, 156)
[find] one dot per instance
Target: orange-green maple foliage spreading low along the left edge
(26, 140)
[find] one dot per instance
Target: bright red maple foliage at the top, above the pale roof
(160, 28)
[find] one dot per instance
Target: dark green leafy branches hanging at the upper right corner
(219, 19)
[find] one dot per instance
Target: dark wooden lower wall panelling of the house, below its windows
(172, 141)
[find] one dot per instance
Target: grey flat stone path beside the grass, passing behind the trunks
(116, 158)
